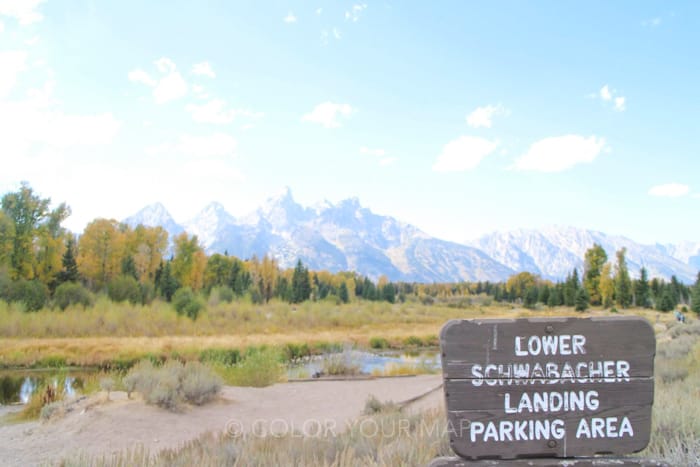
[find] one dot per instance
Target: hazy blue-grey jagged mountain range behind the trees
(347, 236)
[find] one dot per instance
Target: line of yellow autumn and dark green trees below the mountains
(42, 263)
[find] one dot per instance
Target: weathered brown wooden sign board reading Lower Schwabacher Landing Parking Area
(548, 387)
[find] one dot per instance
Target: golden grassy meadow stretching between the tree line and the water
(117, 335)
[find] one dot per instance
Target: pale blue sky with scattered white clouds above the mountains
(459, 117)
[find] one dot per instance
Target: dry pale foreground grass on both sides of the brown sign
(392, 438)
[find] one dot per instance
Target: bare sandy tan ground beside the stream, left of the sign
(96, 427)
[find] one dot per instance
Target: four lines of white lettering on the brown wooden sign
(549, 373)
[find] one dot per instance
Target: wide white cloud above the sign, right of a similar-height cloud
(560, 153)
